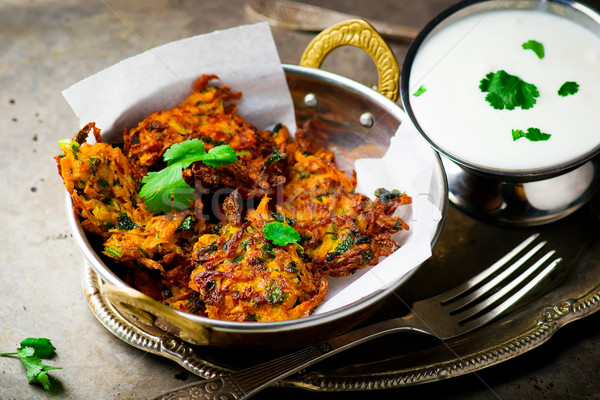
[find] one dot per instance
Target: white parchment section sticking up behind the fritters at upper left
(245, 58)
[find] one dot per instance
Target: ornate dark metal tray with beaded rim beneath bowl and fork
(465, 247)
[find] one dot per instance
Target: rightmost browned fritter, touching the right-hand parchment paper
(342, 230)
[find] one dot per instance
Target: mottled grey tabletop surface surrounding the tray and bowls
(47, 45)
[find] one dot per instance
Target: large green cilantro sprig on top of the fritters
(167, 187)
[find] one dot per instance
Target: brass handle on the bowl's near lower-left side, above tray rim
(153, 317)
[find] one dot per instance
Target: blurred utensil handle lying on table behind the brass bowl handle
(306, 17)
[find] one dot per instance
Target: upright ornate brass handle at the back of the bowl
(359, 33)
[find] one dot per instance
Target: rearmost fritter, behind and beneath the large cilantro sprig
(205, 115)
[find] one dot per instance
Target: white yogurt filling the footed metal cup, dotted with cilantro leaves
(453, 111)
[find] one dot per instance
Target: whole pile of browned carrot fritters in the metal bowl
(214, 258)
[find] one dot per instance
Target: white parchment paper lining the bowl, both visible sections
(246, 59)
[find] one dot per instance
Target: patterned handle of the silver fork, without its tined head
(245, 383)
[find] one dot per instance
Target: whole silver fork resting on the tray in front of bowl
(453, 313)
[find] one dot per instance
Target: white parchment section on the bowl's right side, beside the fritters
(408, 167)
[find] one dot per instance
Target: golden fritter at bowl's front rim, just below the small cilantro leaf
(242, 276)
